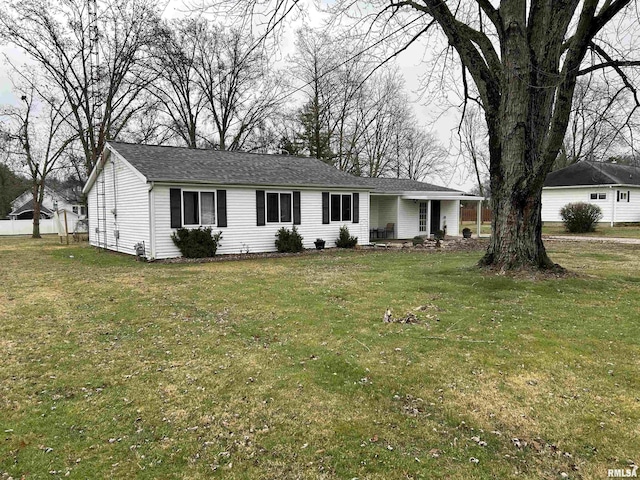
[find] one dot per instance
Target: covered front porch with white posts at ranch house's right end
(411, 214)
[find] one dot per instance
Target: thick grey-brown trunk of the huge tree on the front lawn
(516, 150)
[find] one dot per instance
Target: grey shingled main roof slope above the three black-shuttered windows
(178, 164)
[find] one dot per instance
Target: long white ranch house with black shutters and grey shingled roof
(140, 194)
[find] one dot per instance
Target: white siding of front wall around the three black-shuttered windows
(242, 233)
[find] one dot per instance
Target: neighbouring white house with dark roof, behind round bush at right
(613, 187)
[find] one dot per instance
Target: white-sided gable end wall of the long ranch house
(126, 212)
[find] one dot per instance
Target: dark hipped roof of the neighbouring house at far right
(594, 173)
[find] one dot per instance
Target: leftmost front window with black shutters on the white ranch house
(191, 208)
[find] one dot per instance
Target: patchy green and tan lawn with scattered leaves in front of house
(283, 368)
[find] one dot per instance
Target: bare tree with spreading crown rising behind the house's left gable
(56, 36)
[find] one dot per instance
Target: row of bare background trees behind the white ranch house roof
(196, 83)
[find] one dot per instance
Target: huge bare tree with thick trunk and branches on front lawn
(524, 59)
